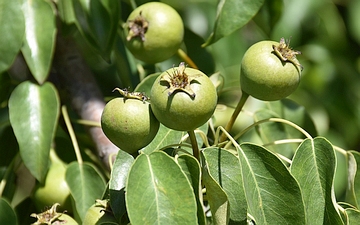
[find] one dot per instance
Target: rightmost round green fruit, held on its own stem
(265, 76)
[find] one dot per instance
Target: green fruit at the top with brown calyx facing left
(154, 32)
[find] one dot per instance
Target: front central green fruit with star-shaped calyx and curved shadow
(183, 98)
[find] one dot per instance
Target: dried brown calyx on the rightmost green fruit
(285, 53)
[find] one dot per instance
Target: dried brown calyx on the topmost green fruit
(137, 28)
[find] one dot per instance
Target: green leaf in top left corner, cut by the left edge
(12, 29)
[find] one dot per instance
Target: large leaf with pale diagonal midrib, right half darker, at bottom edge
(272, 194)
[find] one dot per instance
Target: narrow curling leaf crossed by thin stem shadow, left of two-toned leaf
(224, 167)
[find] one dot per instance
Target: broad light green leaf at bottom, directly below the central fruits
(158, 192)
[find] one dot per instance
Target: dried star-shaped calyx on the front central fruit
(179, 80)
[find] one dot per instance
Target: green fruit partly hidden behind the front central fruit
(129, 123)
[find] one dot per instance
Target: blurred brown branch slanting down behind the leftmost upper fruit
(79, 84)
